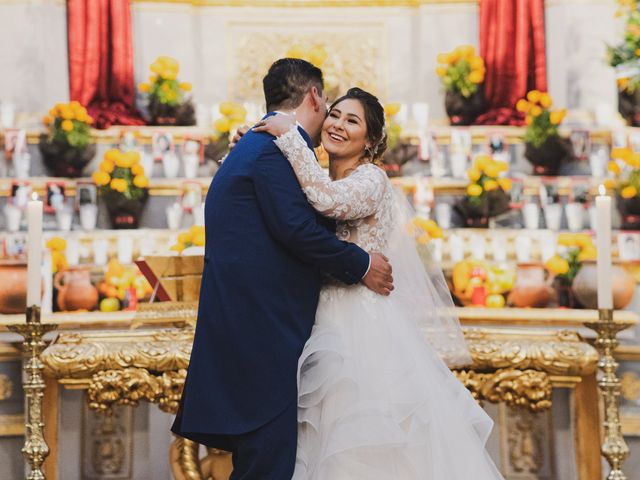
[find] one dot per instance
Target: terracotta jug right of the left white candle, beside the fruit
(75, 290)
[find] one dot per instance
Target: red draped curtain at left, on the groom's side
(101, 60)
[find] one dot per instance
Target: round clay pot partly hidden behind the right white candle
(585, 286)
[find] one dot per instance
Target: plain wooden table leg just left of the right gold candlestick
(587, 429)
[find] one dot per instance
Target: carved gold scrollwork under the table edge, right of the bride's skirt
(523, 388)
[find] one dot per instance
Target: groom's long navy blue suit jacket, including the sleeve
(264, 253)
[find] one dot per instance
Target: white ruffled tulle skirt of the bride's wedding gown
(376, 402)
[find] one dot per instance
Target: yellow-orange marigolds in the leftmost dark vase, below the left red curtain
(70, 124)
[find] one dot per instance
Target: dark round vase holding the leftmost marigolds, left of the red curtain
(63, 160)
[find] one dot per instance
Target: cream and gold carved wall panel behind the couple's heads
(356, 54)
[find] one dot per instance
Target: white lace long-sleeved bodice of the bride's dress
(362, 203)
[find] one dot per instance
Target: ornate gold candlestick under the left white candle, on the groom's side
(35, 448)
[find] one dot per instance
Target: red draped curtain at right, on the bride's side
(512, 44)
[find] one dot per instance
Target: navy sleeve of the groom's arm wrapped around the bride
(293, 222)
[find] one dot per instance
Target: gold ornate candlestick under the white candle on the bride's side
(614, 448)
